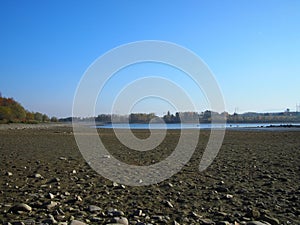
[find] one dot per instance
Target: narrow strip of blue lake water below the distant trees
(173, 126)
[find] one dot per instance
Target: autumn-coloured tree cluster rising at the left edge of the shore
(13, 112)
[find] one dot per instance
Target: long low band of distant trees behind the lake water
(194, 117)
